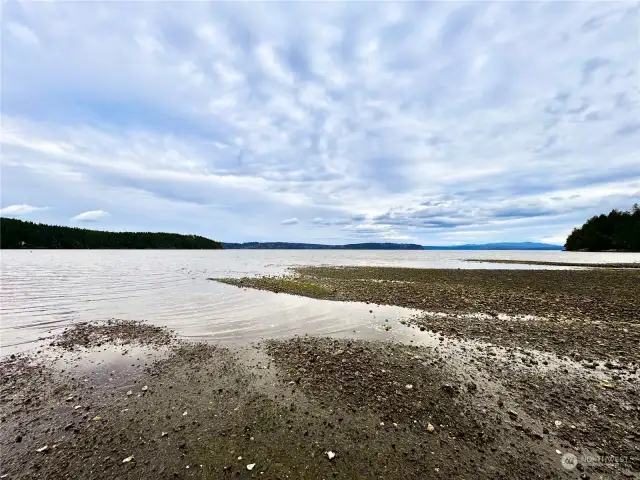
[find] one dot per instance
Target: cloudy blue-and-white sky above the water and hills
(435, 123)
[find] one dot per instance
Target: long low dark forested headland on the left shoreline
(20, 234)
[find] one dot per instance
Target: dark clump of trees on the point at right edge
(615, 231)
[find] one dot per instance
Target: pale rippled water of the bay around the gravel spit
(43, 291)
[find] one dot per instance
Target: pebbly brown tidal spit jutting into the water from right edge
(590, 315)
